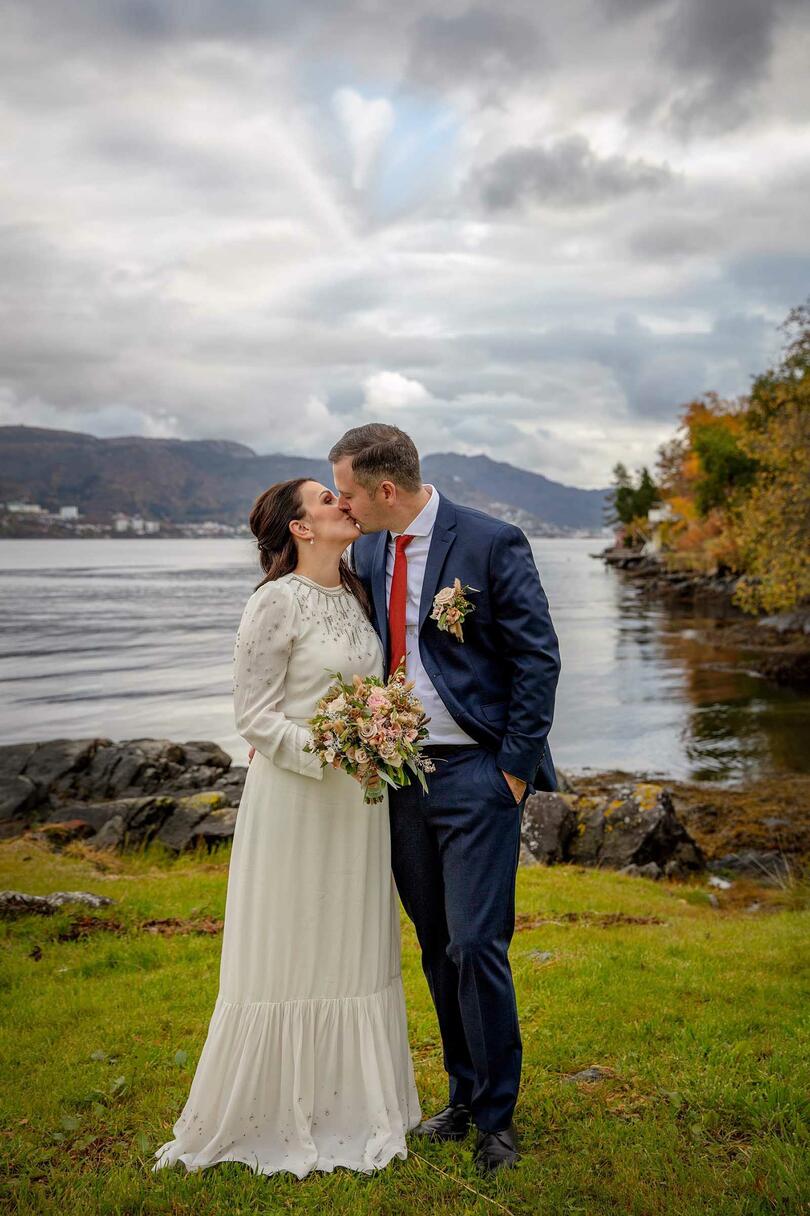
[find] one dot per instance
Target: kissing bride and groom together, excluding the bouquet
(307, 1063)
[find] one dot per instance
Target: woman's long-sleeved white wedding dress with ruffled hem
(307, 1063)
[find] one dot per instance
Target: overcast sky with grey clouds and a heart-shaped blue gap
(525, 233)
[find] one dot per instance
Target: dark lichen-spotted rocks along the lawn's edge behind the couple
(184, 796)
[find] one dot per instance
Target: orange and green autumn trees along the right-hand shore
(736, 480)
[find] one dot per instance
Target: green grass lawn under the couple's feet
(699, 1015)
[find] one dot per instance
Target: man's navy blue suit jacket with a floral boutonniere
(500, 683)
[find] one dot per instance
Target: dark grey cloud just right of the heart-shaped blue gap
(564, 174)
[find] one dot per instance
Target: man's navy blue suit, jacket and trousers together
(455, 849)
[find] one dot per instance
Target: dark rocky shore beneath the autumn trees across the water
(777, 646)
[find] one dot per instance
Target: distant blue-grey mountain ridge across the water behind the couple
(185, 481)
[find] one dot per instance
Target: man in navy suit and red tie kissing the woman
(491, 699)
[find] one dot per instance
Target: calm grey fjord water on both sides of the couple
(131, 639)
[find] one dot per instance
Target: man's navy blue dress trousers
(454, 855)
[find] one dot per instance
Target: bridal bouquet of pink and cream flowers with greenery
(375, 730)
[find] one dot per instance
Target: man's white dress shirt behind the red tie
(443, 728)
